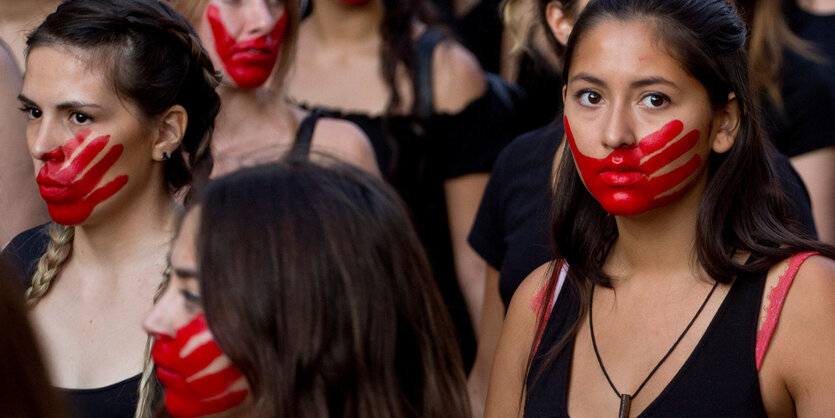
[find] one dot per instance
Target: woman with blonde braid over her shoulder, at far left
(120, 99)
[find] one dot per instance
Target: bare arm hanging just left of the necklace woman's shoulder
(492, 319)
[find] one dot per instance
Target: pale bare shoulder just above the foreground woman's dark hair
(345, 141)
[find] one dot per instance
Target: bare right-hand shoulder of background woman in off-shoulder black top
(457, 77)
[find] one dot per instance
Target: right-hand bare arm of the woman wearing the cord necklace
(797, 370)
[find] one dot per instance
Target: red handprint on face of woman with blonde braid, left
(70, 192)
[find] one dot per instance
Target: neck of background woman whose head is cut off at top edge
(337, 23)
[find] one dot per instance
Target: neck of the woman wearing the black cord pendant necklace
(659, 244)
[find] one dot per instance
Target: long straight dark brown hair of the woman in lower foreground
(316, 286)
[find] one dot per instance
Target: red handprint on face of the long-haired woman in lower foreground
(201, 381)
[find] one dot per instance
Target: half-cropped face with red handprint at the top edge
(243, 38)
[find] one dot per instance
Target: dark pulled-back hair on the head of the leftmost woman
(154, 60)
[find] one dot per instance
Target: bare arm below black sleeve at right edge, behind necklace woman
(817, 169)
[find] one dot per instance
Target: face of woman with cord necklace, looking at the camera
(640, 128)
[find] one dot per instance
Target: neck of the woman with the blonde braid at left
(137, 233)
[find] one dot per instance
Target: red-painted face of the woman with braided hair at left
(92, 150)
